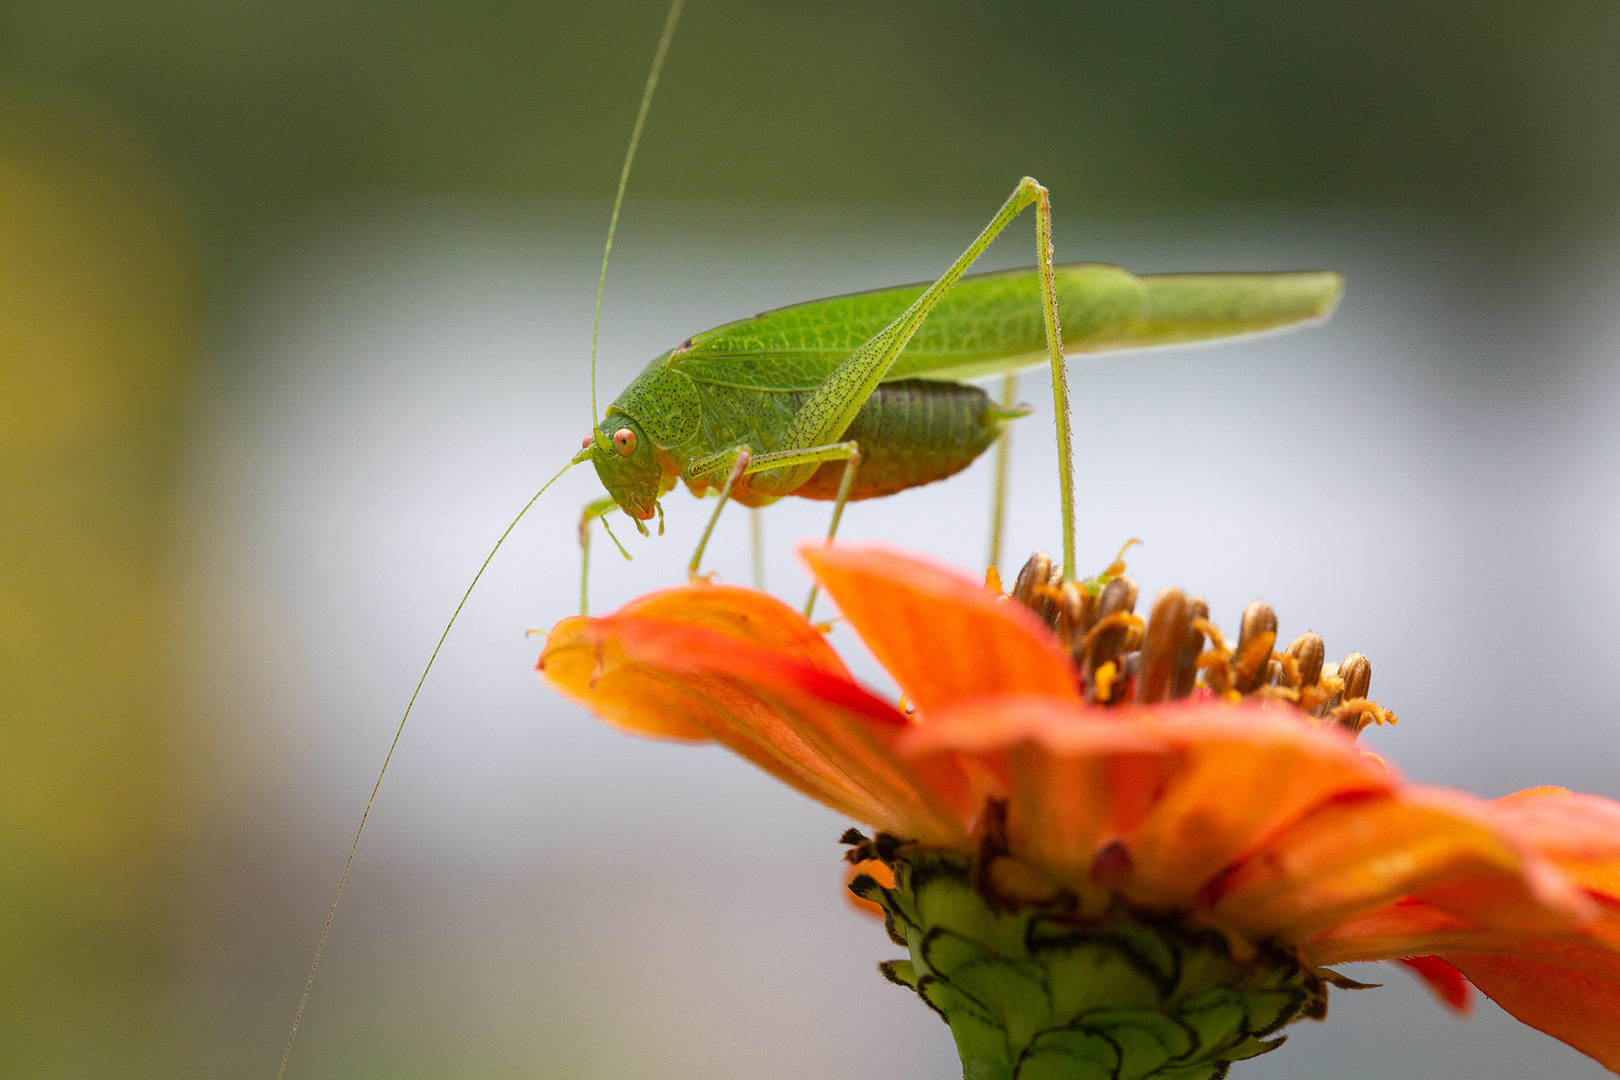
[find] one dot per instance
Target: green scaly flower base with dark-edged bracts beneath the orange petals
(1041, 992)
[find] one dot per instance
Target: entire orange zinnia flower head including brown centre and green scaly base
(1046, 820)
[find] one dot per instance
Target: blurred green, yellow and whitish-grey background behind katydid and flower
(296, 313)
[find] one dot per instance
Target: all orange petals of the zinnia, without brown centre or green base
(1248, 819)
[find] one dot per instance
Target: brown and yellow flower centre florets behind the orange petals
(1179, 653)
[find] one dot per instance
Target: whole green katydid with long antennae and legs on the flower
(864, 394)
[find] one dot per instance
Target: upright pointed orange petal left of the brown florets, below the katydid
(940, 634)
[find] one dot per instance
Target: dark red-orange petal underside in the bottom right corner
(1580, 1008)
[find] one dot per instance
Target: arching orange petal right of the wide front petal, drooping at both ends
(1352, 857)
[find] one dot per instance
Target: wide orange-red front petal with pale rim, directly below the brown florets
(1188, 789)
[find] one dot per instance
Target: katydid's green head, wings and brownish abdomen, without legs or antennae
(744, 383)
